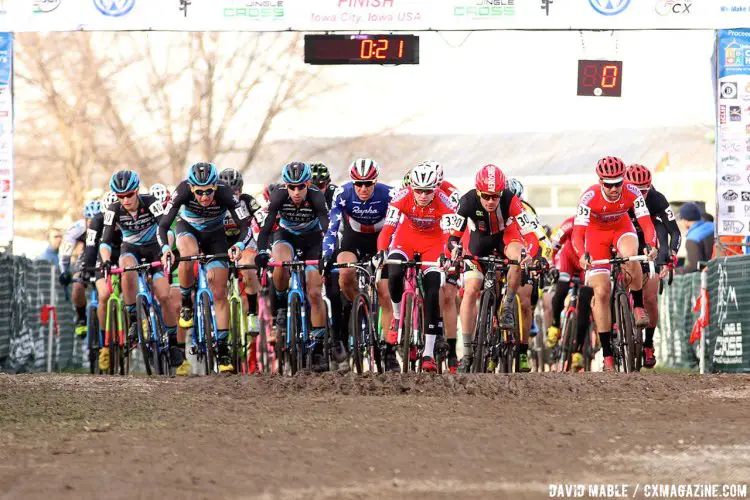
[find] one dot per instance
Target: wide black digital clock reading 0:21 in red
(361, 49)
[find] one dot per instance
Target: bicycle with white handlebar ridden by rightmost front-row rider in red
(627, 344)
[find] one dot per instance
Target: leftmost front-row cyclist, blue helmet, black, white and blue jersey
(137, 217)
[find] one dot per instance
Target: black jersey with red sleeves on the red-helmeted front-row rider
(509, 210)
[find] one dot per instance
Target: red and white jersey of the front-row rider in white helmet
(403, 212)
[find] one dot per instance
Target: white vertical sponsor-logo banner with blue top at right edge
(733, 132)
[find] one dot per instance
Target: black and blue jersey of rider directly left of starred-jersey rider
(310, 216)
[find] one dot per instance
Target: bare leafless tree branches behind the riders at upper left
(91, 103)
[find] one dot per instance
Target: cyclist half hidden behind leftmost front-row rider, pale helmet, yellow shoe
(91, 259)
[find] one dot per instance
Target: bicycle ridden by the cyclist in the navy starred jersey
(364, 340)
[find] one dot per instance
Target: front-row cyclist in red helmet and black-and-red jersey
(500, 225)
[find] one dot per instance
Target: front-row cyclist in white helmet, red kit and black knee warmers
(417, 221)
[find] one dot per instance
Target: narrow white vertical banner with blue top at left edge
(6, 139)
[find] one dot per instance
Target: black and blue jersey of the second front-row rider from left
(203, 219)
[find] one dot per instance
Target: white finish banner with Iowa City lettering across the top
(374, 15)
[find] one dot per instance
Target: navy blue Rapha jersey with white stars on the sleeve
(352, 214)
